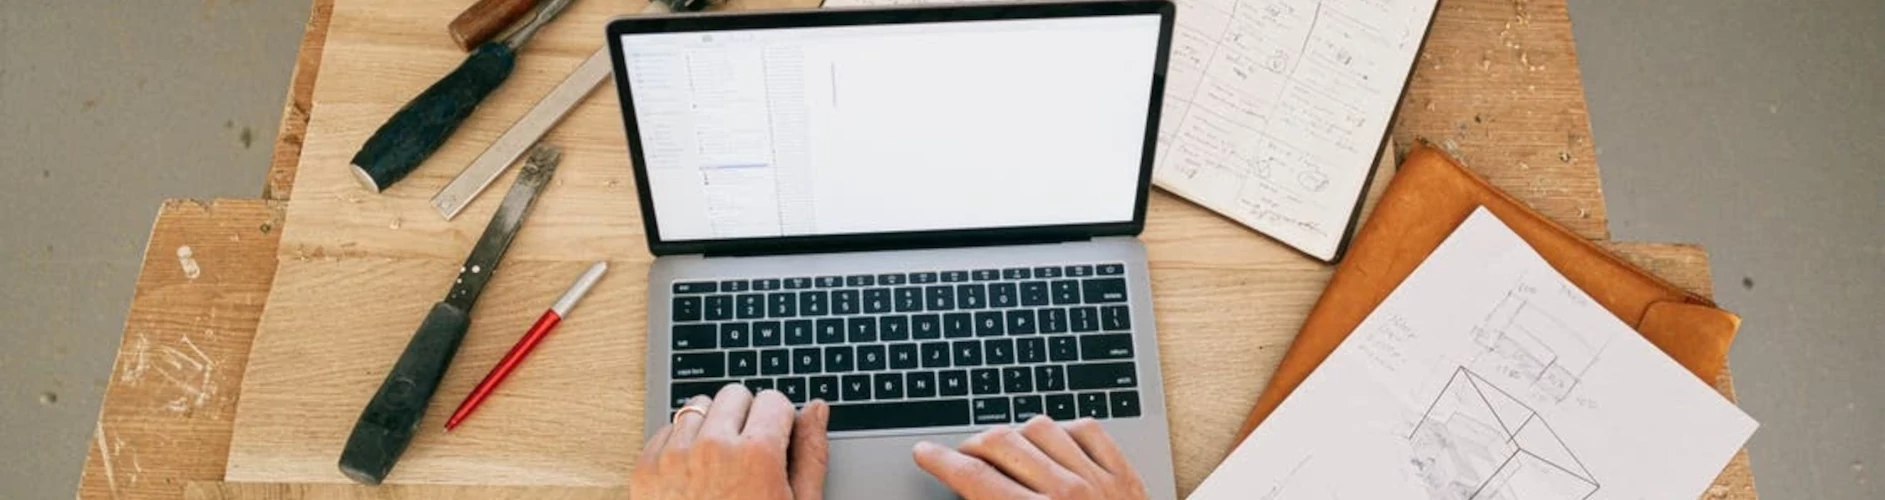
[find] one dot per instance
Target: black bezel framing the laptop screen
(889, 16)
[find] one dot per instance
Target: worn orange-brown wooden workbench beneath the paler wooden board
(1498, 86)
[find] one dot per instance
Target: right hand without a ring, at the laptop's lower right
(1043, 459)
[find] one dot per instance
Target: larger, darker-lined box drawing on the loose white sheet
(1479, 442)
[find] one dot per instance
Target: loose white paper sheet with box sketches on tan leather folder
(1488, 376)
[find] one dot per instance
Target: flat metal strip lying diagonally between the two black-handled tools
(540, 120)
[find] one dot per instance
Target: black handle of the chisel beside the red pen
(391, 420)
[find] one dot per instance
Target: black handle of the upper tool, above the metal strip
(425, 124)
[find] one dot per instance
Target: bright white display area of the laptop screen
(893, 127)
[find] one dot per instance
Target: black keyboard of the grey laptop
(917, 350)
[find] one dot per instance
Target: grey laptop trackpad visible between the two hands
(885, 469)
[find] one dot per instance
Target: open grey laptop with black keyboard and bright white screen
(923, 216)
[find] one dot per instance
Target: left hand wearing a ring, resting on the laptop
(736, 448)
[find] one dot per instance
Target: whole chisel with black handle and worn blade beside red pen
(391, 420)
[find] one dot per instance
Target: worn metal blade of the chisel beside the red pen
(502, 229)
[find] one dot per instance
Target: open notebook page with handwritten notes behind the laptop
(1277, 108)
